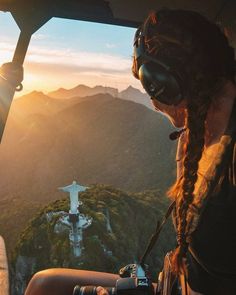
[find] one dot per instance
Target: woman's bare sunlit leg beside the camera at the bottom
(61, 281)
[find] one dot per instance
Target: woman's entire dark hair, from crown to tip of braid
(201, 52)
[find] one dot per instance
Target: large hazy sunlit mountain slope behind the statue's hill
(101, 139)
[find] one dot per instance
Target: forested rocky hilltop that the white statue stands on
(45, 241)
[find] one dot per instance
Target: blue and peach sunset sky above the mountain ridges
(66, 53)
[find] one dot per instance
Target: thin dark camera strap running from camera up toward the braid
(156, 234)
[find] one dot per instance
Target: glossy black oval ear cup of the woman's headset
(160, 83)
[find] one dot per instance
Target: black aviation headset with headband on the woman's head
(160, 80)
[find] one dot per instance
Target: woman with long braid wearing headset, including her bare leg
(186, 65)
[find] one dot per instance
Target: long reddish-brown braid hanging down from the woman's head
(196, 116)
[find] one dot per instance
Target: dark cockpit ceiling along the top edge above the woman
(122, 12)
